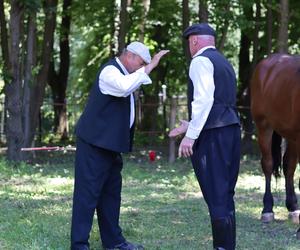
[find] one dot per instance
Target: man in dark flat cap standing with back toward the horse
(212, 136)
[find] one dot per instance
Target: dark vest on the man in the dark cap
(223, 111)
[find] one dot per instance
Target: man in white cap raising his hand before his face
(104, 131)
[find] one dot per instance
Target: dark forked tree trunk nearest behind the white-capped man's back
(58, 81)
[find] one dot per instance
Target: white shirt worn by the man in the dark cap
(201, 73)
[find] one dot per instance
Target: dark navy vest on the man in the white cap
(105, 119)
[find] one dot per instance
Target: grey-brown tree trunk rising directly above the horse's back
(283, 27)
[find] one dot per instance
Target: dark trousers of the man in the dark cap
(216, 161)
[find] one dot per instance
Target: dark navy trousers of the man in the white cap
(97, 186)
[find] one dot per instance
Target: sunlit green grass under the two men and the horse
(162, 207)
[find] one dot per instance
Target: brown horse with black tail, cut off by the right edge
(275, 107)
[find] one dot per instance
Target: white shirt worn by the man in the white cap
(113, 82)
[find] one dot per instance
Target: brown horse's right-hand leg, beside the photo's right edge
(289, 166)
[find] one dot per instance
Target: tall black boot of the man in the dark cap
(222, 230)
